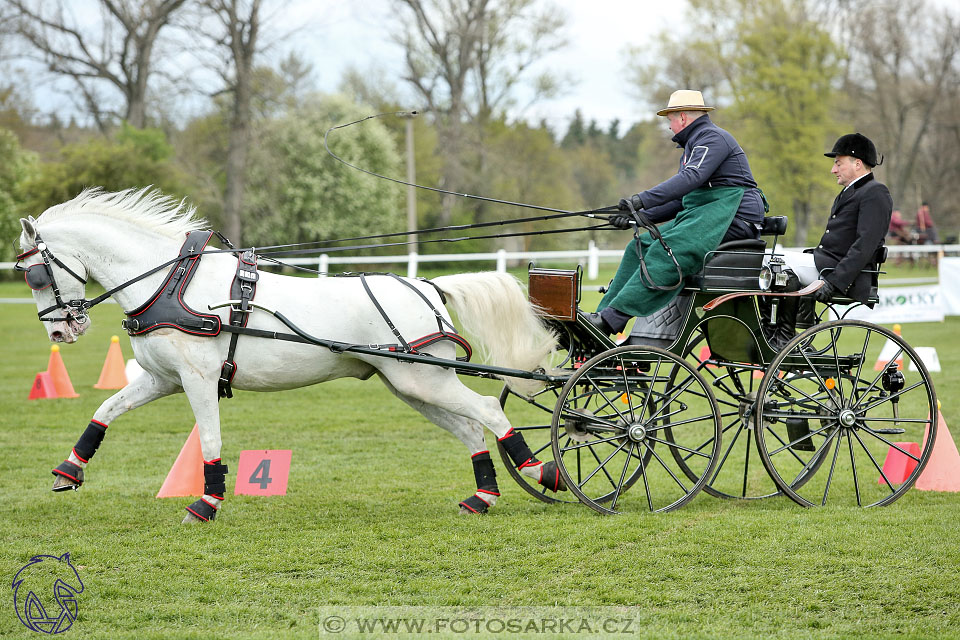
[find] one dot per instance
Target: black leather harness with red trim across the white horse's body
(166, 309)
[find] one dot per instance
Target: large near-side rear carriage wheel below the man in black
(857, 434)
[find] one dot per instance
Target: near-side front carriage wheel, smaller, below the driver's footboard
(632, 405)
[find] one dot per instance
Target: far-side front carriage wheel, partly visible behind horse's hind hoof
(531, 417)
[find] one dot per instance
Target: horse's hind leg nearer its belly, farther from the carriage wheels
(470, 433)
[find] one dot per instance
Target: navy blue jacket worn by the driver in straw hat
(711, 158)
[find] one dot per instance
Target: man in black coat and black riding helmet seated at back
(858, 223)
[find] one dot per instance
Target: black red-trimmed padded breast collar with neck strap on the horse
(166, 308)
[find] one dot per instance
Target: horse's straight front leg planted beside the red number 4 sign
(202, 393)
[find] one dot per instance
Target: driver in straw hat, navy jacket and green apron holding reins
(712, 198)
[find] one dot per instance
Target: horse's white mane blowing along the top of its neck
(145, 207)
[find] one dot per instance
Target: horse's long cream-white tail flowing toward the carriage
(493, 309)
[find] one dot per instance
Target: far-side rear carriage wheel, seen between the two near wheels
(739, 472)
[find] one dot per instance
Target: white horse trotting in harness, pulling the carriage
(114, 237)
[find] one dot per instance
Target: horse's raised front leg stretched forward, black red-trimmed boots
(145, 388)
